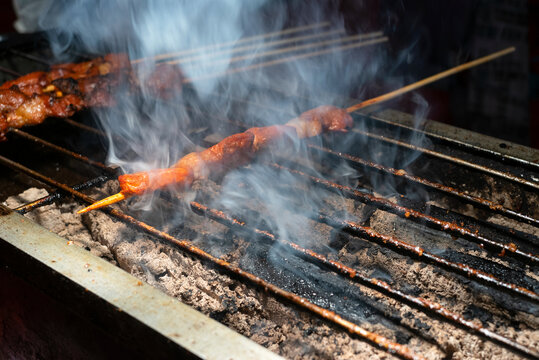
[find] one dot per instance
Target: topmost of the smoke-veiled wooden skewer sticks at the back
(235, 42)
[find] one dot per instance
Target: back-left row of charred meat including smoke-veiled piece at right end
(68, 88)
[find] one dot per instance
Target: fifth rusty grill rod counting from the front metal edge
(484, 203)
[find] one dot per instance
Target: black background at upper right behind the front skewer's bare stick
(500, 99)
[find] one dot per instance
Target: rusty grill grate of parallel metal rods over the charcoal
(521, 246)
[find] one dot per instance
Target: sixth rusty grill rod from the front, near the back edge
(458, 161)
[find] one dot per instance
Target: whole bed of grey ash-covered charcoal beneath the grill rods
(281, 327)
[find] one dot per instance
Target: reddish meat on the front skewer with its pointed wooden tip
(233, 151)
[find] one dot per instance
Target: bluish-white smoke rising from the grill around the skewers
(146, 132)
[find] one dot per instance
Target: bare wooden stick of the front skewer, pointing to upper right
(430, 79)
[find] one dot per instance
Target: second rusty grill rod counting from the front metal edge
(376, 284)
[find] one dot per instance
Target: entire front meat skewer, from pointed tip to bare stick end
(228, 153)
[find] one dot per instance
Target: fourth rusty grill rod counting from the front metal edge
(404, 212)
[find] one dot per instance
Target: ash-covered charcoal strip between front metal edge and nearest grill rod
(283, 329)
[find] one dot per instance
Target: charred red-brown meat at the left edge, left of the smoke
(62, 91)
